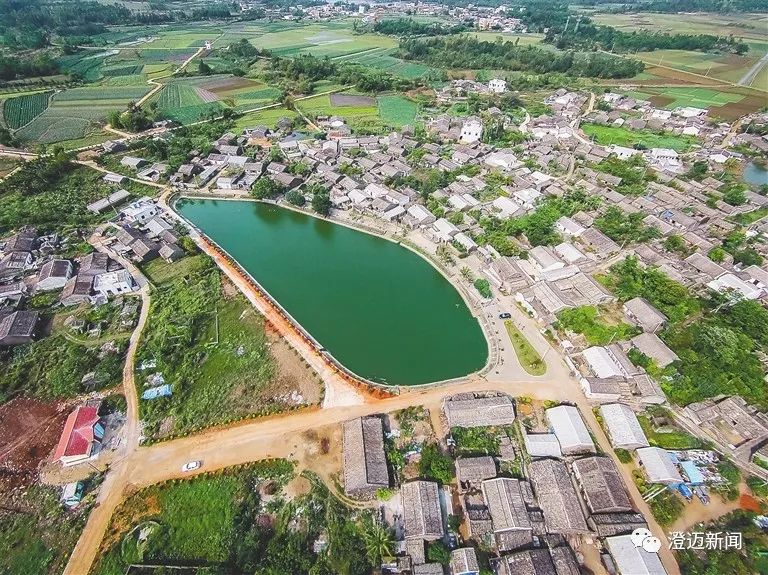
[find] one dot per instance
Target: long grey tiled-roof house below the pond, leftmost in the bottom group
(365, 464)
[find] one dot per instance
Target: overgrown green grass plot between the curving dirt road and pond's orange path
(210, 347)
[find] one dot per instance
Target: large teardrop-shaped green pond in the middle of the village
(380, 309)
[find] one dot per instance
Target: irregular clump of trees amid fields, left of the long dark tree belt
(297, 75)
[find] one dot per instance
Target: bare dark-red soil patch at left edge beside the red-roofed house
(29, 430)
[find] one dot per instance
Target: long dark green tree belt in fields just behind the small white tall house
(469, 53)
